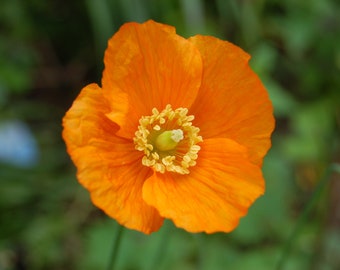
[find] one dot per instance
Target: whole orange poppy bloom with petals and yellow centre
(178, 130)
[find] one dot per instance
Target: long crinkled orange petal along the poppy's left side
(108, 166)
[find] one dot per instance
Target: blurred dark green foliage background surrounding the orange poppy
(49, 50)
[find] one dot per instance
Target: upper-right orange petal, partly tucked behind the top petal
(232, 101)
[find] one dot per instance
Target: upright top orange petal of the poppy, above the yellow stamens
(148, 65)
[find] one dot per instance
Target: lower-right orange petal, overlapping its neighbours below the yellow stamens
(215, 195)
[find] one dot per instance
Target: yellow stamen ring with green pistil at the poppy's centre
(168, 140)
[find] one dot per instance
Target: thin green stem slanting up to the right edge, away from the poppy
(306, 212)
